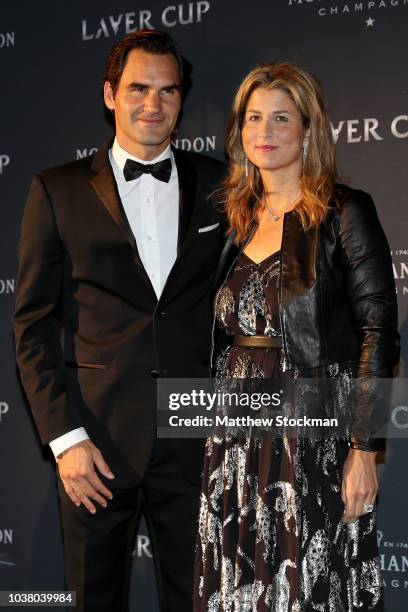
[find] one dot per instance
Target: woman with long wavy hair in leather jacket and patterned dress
(305, 289)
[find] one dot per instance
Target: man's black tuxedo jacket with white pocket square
(79, 269)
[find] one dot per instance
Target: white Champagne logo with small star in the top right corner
(369, 10)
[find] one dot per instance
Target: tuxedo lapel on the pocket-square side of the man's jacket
(187, 193)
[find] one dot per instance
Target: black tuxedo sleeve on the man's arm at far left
(37, 325)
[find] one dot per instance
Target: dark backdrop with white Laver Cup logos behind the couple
(52, 57)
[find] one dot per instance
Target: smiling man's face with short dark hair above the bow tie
(146, 103)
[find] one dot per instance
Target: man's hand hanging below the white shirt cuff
(76, 468)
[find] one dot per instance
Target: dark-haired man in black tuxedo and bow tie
(118, 251)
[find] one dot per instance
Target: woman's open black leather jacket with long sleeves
(337, 298)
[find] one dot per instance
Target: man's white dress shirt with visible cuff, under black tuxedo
(152, 209)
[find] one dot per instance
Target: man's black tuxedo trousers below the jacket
(98, 548)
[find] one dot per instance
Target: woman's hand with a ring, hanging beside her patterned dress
(360, 483)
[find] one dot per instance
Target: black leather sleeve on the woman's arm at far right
(371, 294)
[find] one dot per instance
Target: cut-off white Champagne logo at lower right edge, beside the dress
(393, 559)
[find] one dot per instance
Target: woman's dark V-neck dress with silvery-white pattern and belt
(270, 533)
